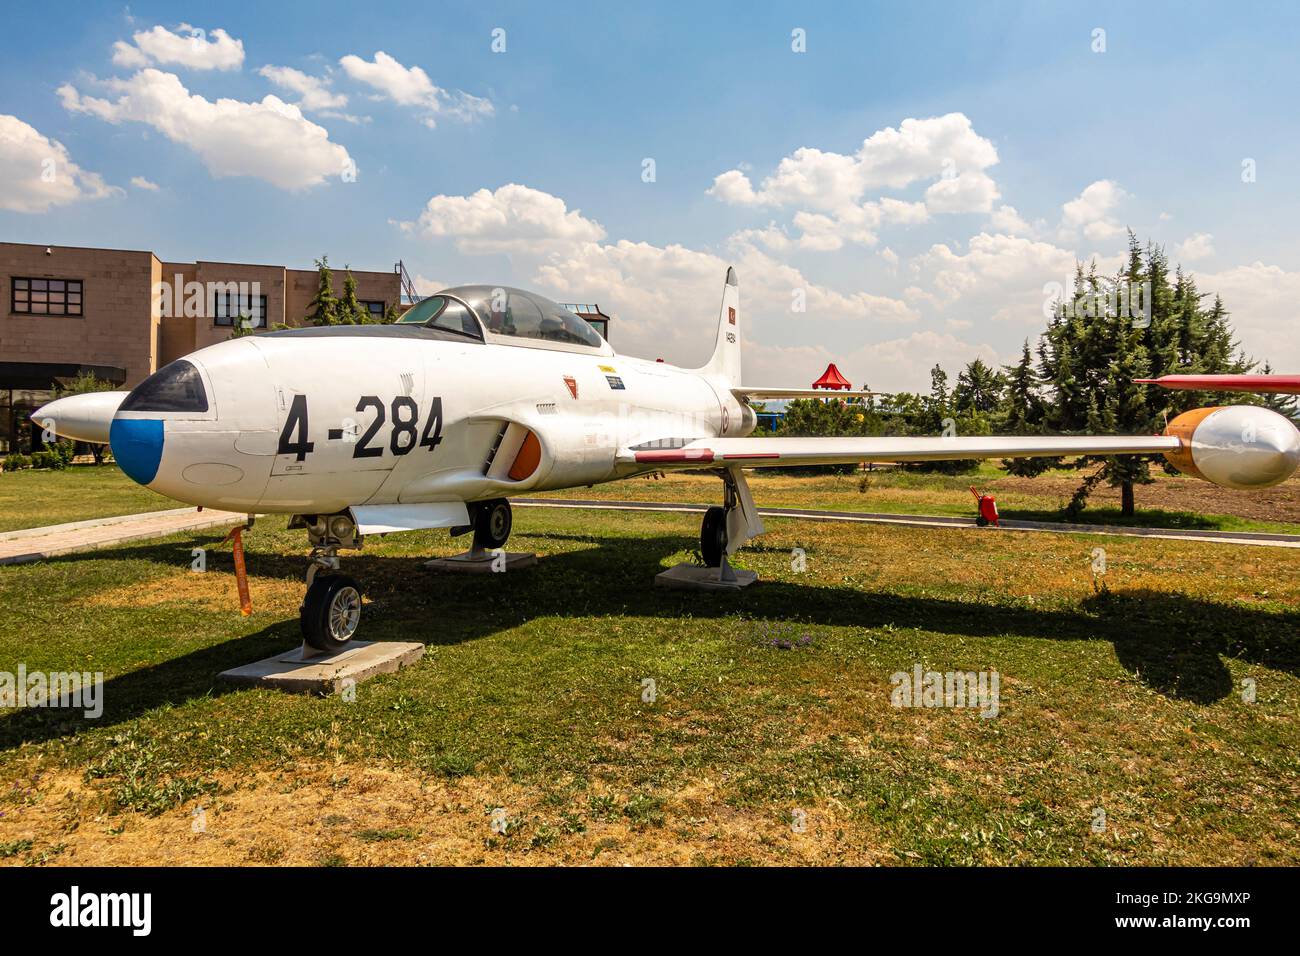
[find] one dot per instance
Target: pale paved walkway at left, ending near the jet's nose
(34, 544)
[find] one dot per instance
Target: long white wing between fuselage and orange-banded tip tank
(759, 453)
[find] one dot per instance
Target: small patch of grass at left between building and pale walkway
(34, 499)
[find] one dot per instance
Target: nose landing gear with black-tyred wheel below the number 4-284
(332, 609)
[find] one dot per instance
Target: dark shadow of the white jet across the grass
(1173, 643)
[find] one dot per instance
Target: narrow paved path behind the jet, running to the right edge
(1224, 538)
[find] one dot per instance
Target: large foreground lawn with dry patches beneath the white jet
(530, 704)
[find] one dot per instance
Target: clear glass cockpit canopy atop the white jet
(505, 314)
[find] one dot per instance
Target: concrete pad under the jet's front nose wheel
(326, 674)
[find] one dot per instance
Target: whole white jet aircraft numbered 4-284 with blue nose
(480, 393)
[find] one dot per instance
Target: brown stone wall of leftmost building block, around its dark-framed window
(118, 326)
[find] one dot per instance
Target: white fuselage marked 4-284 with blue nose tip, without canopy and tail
(323, 421)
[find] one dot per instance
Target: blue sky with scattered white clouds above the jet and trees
(1050, 146)
